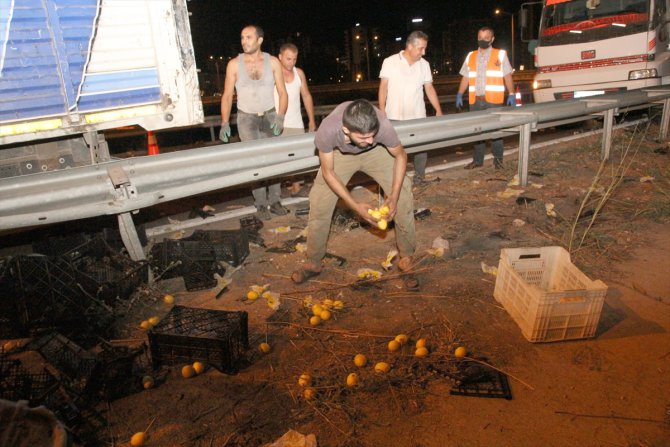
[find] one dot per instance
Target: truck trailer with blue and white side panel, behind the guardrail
(72, 68)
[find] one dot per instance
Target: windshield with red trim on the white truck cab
(580, 21)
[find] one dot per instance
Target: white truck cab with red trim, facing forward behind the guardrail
(591, 47)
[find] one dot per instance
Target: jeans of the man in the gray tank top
(251, 126)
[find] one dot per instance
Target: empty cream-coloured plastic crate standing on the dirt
(548, 297)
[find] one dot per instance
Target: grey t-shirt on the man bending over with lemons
(330, 135)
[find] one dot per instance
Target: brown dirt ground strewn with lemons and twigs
(610, 390)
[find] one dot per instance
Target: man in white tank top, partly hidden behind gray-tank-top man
(296, 87)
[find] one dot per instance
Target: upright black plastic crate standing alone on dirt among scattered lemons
(216, 337)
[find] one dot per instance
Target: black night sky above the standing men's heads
(216, 24)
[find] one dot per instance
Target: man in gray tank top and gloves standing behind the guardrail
(254, 76)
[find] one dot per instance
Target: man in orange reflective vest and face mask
(486, 72)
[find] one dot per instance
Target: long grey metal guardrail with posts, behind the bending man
(119, 187)
